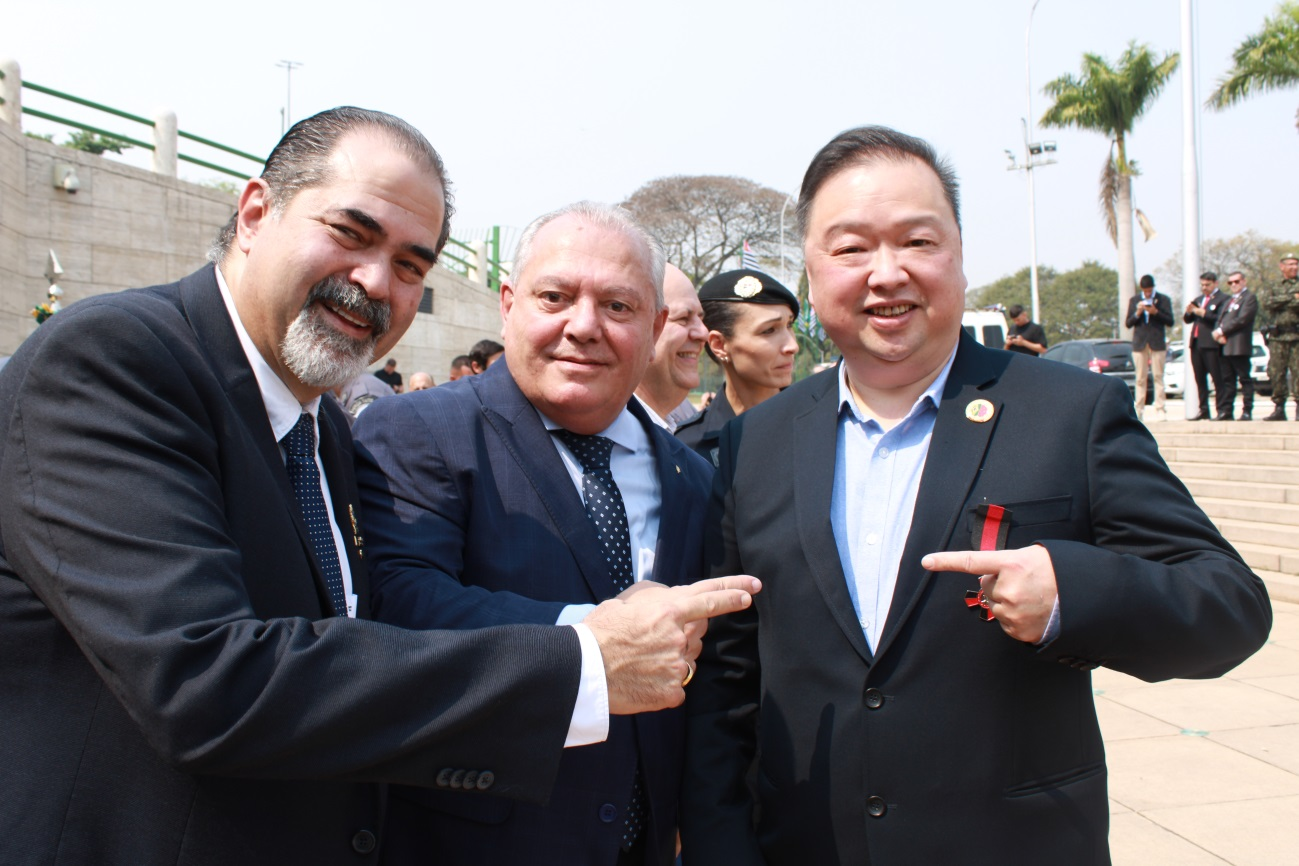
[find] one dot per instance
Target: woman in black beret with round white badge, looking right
(750, 320)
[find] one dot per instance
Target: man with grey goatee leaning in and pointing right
(186, 671)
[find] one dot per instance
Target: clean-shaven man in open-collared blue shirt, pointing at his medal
(900, 715)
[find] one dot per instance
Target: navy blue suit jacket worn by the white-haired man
(473, 520)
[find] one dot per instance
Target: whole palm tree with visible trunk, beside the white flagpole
(1110, 99)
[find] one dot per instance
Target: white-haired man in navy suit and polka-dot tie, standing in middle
(477, 504)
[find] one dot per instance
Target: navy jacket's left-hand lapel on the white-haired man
(522, 432)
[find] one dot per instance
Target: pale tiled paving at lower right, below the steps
(1207, 772)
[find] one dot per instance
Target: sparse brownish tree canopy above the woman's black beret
(703, 221)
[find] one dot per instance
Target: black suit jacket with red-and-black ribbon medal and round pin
(952, 743)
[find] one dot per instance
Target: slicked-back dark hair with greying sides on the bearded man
(301, 160)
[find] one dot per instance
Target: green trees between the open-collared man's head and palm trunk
(1076, 304)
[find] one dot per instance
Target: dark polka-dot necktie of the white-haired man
(610, 516)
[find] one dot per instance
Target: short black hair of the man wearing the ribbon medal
(868, 145)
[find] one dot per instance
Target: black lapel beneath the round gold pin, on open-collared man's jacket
(952, 467)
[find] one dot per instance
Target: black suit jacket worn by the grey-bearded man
(173, 693)
